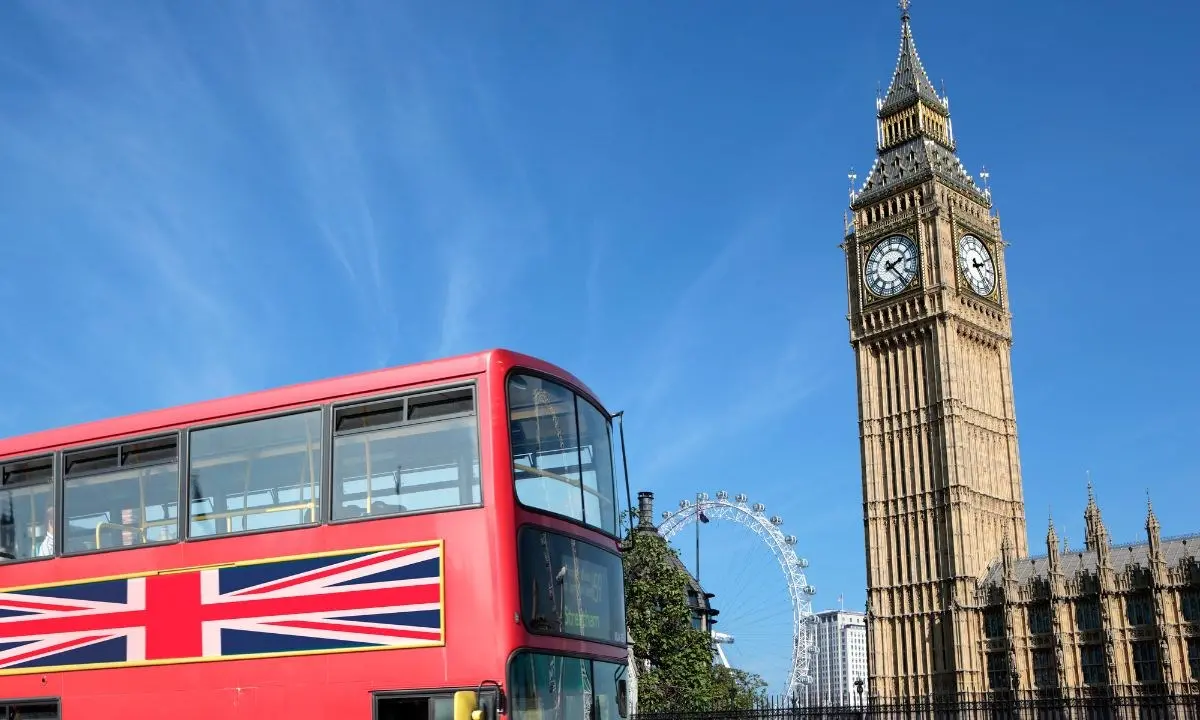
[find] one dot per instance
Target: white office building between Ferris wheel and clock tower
(842, 658)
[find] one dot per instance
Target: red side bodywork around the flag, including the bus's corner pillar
(482, 605)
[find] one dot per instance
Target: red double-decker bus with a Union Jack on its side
(437, 541)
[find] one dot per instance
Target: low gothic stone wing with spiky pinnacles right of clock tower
(1103, 619)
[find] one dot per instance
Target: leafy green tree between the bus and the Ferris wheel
(681, 676)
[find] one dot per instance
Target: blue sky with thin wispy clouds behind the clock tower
(201, 200)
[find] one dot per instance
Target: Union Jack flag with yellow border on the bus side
(379, 598)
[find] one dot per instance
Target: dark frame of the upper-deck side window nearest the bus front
(441, 387)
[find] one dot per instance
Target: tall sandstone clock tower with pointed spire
(932, 333)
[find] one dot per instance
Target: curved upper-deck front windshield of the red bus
(562, 453)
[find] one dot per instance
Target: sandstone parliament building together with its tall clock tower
(957, 605)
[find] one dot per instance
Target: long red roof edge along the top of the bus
(265, 401)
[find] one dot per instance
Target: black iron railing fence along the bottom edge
(1076, 706)
